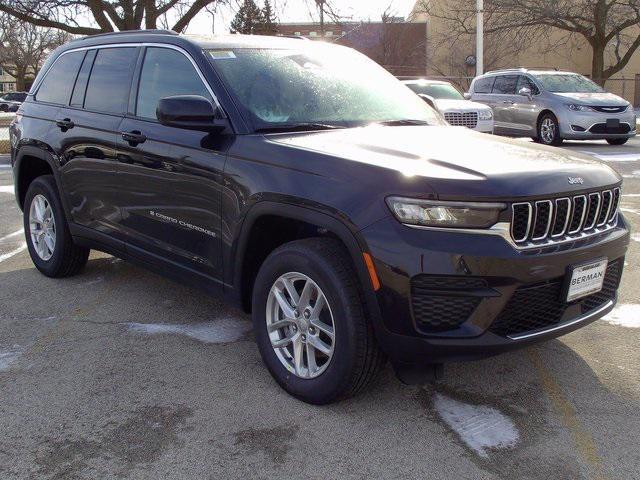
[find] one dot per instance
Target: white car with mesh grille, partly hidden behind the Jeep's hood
(448, 100)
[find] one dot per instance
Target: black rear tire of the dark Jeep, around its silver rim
(67, 258)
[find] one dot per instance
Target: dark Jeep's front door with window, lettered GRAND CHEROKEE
(170, 178)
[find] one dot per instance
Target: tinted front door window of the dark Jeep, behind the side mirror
(166, 72)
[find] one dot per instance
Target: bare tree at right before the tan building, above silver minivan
(611, 28)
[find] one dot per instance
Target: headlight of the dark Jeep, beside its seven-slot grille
(431, 213)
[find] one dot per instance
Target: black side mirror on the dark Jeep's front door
(190, 112)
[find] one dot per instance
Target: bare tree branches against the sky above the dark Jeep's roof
(105, 15)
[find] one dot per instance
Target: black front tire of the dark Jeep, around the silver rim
(356, 358)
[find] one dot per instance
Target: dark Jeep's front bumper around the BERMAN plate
(489, 283)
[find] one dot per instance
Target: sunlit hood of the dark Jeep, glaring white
(456, 162)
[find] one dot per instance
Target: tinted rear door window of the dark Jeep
(108, 87)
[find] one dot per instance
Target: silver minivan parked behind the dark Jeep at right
(551, 106)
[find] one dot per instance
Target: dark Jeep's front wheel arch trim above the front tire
(325, 225)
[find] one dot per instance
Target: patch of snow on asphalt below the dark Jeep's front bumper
(481, 427)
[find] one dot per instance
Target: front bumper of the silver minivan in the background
(593, 125)
